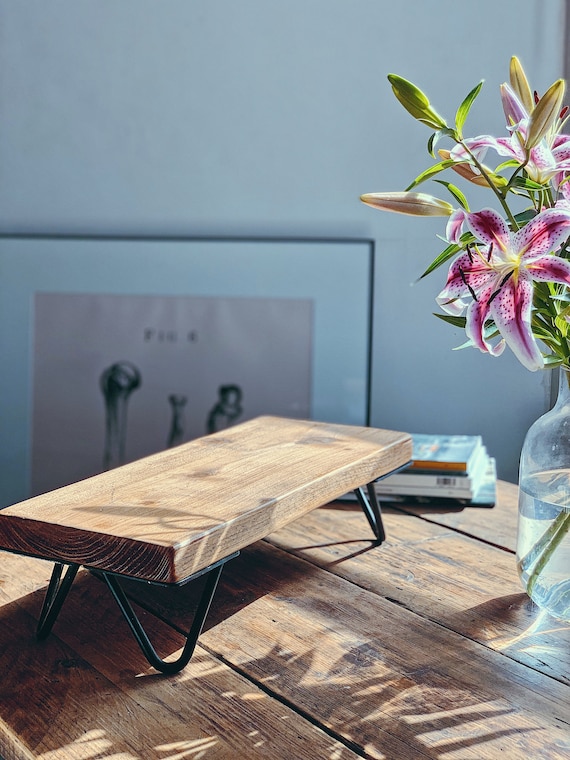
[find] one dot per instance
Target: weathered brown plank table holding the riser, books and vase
(321, 645)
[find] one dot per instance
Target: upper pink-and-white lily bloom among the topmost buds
(548, 160)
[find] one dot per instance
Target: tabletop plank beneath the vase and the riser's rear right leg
(459, 582)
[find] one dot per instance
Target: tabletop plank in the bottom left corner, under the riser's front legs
(56, 704)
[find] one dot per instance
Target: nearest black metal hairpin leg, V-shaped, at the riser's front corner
(172, 666)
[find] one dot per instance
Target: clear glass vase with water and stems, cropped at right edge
(543, 539)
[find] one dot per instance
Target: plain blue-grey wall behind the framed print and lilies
(264, 117)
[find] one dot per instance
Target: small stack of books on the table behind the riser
(451, 467)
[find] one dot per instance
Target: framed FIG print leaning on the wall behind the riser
(114, 348)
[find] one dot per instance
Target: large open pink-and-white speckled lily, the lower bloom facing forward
(496, 282)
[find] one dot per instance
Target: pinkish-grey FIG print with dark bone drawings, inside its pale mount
(118, 377)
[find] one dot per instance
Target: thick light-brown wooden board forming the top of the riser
(172, 514)
